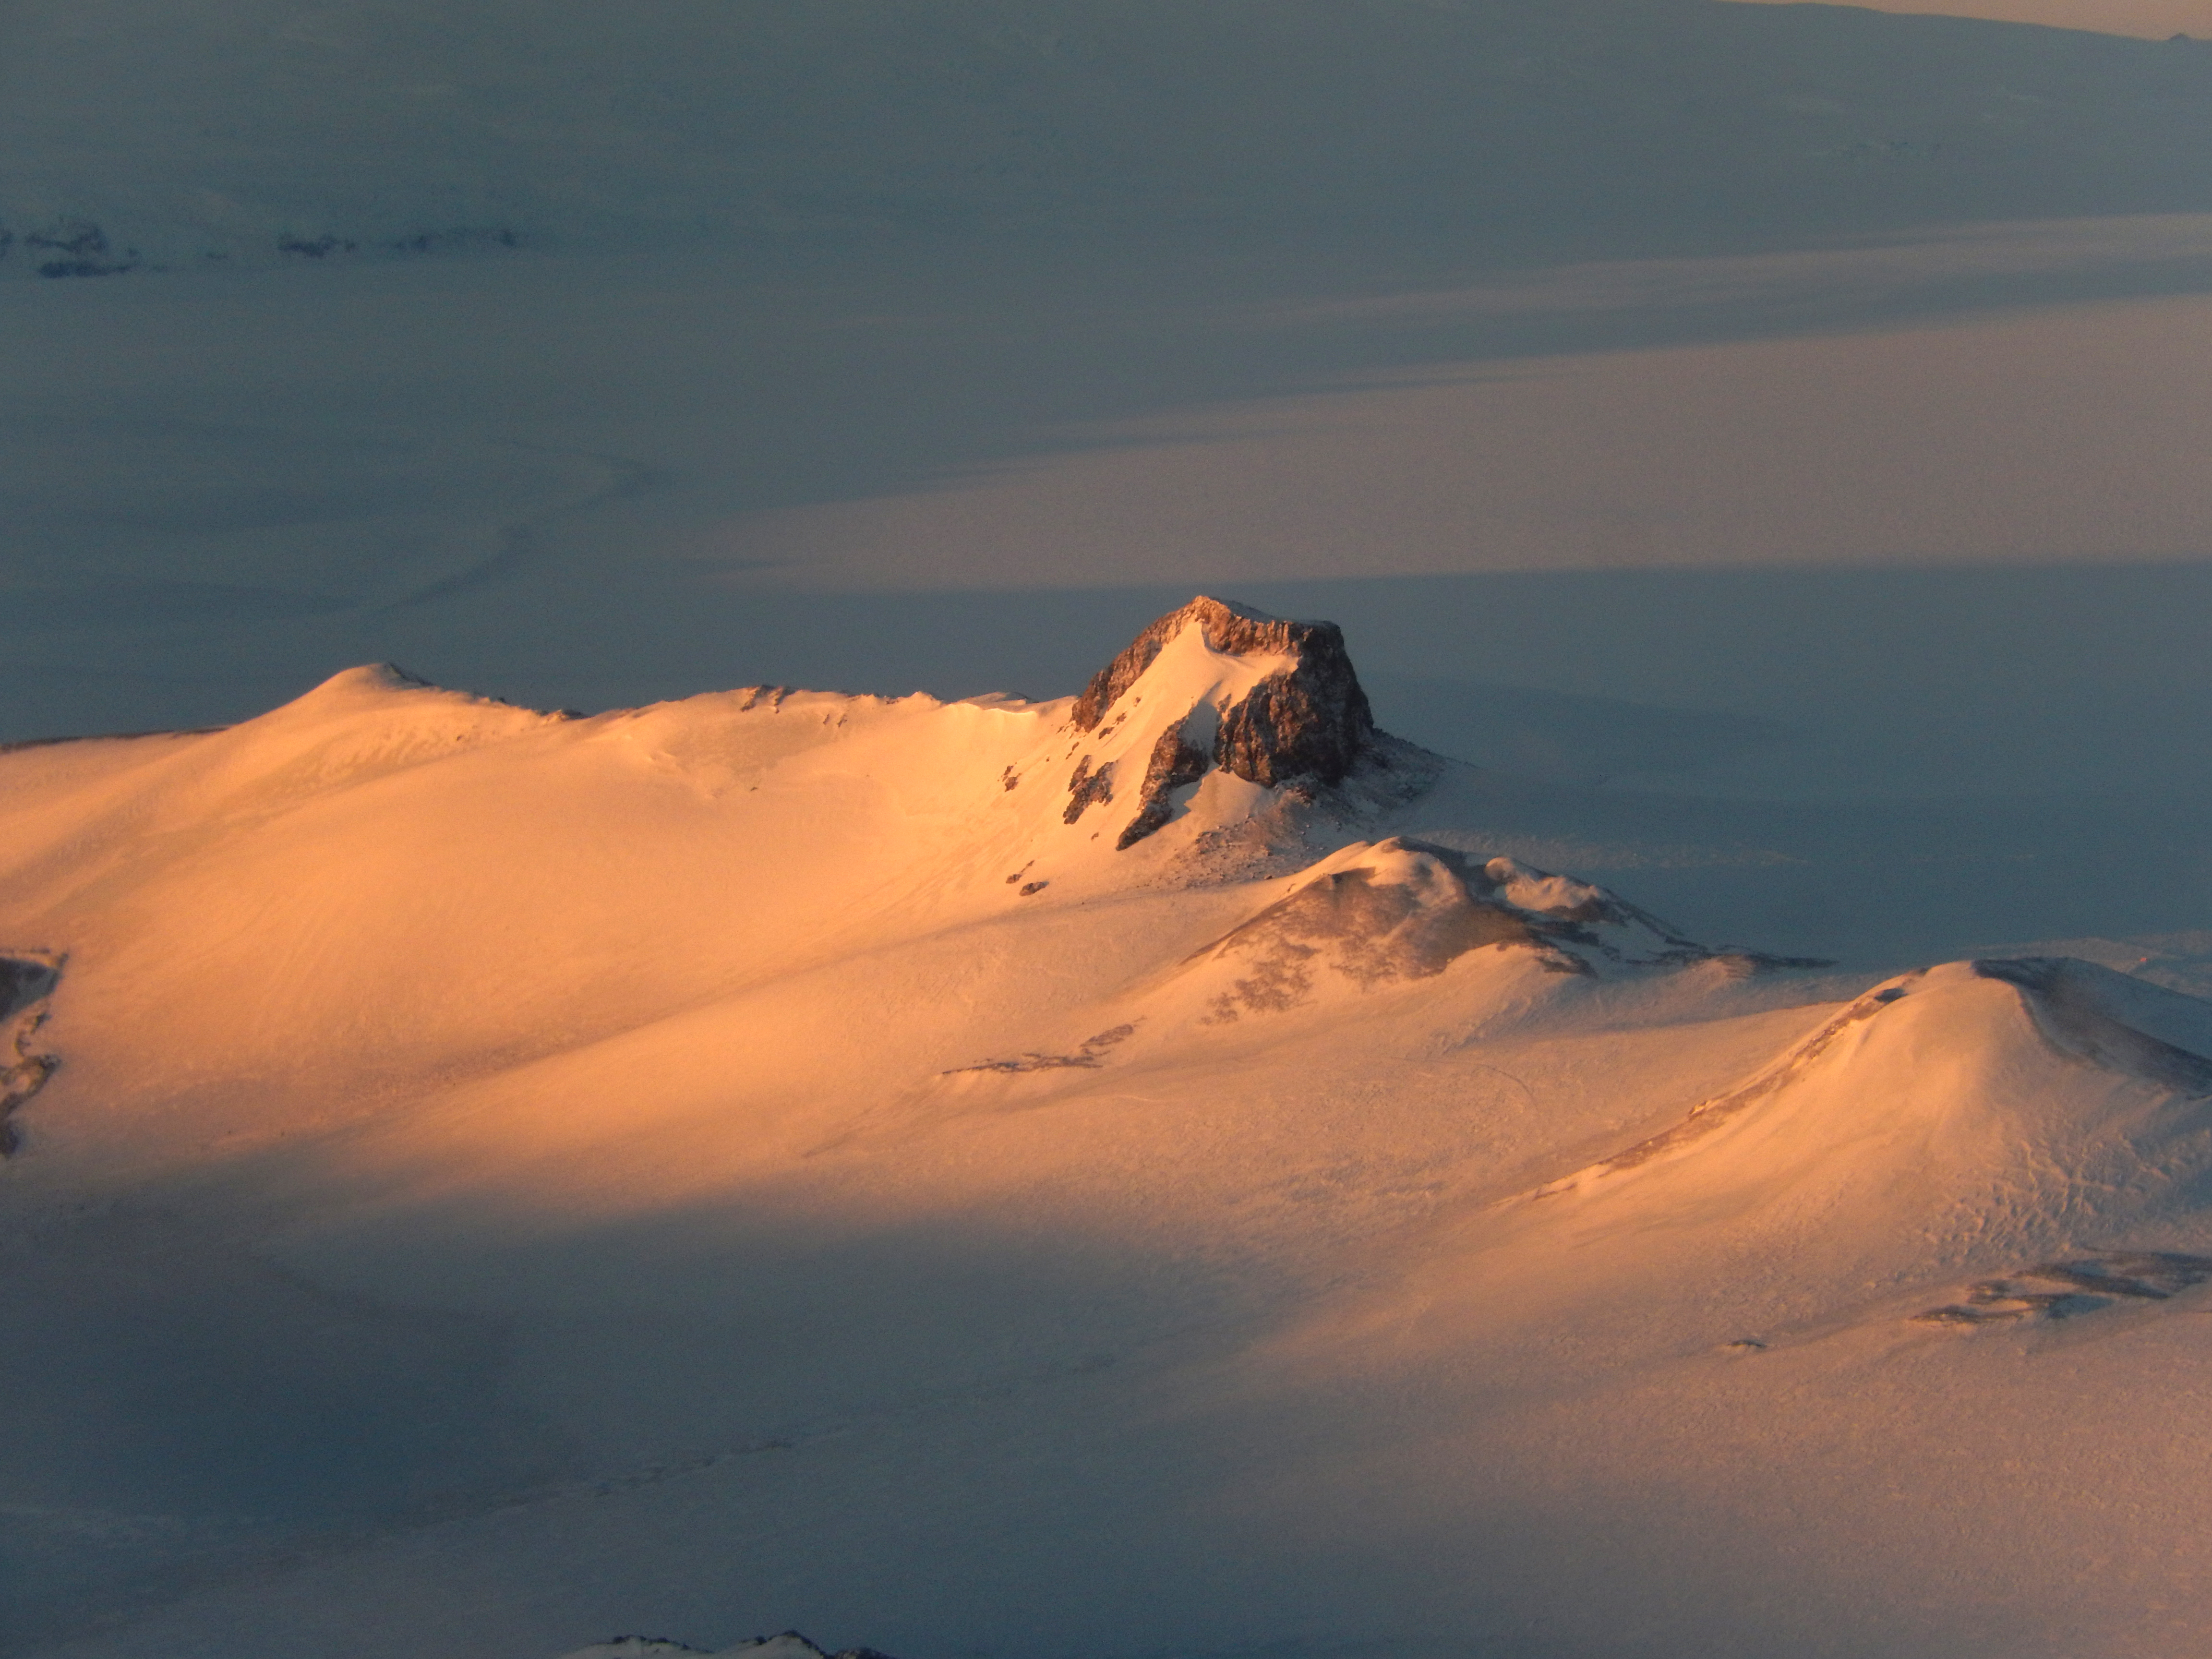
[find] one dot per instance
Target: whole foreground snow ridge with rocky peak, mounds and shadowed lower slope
(1131, 1173)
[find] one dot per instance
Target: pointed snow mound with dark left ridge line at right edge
(1987, 1105)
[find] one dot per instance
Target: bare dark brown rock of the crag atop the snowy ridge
(1302, 724)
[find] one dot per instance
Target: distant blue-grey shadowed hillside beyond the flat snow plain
(140, 134)
